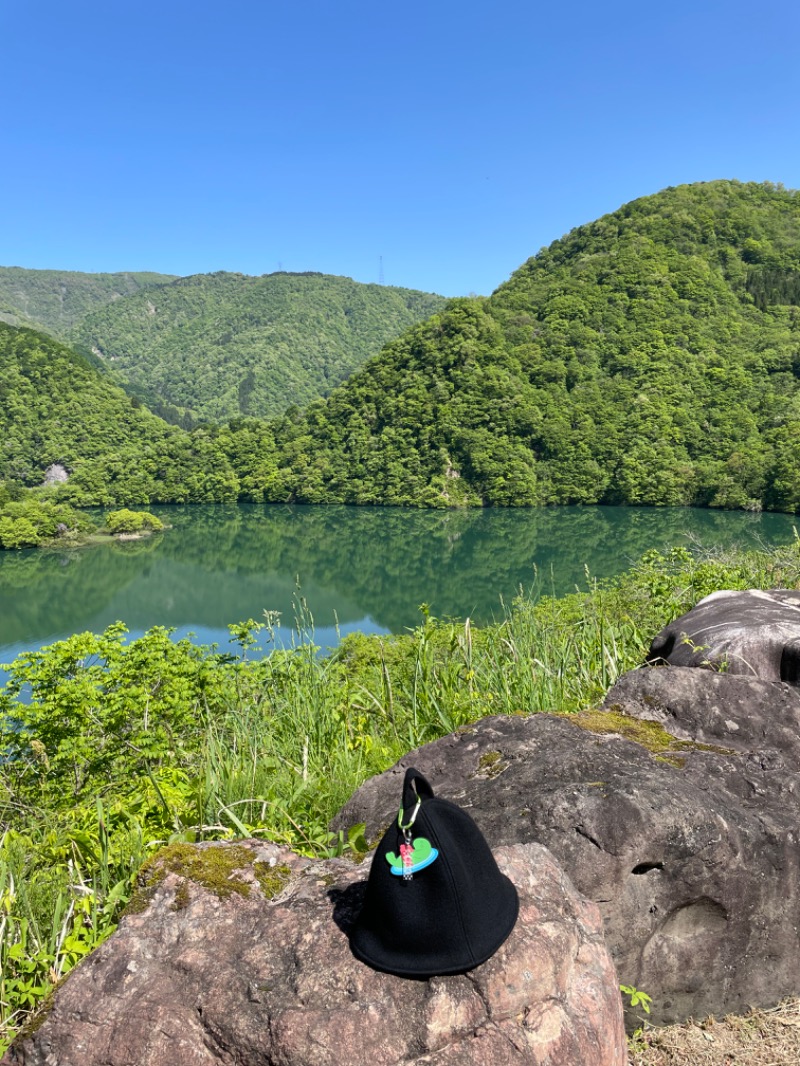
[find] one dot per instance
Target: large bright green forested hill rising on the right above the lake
(650, 358)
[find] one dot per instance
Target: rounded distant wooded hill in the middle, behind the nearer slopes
(222, 346)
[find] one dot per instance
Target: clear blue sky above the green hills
(452, 139)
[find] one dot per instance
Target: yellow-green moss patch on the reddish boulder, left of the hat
(213, 868)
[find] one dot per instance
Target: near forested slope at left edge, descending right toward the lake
(56, 408)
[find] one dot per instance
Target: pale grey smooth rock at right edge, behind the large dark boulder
(756, 634)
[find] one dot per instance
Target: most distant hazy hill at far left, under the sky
(55, 300)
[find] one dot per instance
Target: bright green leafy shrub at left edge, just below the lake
(104, 715)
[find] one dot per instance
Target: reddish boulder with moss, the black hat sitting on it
(238, 954)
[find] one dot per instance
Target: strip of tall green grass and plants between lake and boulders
(285, 740)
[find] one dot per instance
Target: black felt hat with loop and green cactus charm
(436, 900)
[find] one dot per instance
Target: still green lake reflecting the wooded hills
(358, 569)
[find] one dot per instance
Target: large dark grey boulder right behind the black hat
(686, 836)
